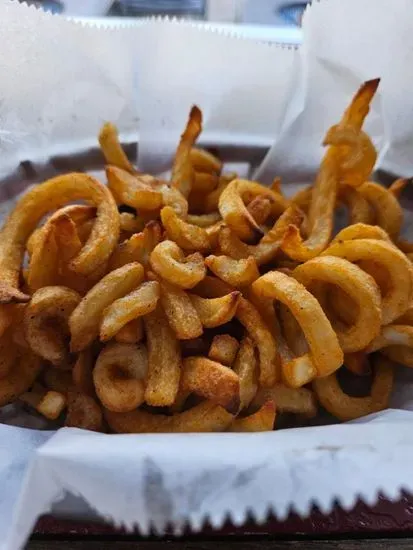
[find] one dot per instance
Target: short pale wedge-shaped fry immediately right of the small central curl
(237, 273)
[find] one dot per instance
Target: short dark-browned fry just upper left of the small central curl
(138, 248)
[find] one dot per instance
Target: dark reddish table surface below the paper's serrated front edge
(386, 526)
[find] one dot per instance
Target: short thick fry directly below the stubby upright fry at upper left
(136, 190)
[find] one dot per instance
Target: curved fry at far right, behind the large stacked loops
(387, 210)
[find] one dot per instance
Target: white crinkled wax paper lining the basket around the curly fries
(60, 81)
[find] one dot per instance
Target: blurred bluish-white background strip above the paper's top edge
(272, 20)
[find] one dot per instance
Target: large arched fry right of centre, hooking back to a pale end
(325, 354)
